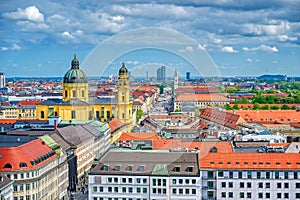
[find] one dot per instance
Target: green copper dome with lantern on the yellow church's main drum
(75, 75)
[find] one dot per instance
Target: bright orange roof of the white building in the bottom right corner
(287, 161)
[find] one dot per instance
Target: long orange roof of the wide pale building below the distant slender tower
(200, 97)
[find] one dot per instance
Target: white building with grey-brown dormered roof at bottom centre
(143, 175)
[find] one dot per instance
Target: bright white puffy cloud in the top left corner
(30, 13)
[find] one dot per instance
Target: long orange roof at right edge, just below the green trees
(282, 116)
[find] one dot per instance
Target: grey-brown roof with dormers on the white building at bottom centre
(158, 163)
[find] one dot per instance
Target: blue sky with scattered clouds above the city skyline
(241, 37)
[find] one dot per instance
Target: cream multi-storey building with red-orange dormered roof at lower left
(33, 170)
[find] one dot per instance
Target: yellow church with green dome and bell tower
(77, 105)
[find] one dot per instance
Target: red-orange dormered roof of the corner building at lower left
(25, 153)
